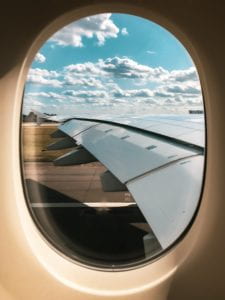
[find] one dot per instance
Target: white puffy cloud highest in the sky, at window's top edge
(99, 26)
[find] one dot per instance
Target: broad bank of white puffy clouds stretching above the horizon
(112, 83)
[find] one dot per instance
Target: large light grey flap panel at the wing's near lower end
(168, 197)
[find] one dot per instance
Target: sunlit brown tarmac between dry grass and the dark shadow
(81, 183)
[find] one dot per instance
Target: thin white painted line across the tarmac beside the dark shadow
(90, 204)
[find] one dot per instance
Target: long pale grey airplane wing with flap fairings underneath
(161, 165)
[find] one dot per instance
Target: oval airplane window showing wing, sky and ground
(112, 141)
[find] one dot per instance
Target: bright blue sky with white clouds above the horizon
(114, 64)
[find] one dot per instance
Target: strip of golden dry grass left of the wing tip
(35, 139)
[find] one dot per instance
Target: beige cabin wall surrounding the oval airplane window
(199, 257)
